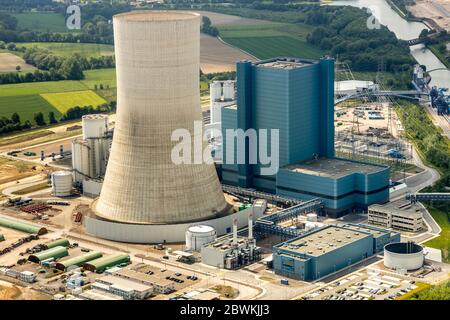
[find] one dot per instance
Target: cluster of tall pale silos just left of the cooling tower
(90, 153)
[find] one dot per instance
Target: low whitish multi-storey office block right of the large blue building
(398, 215)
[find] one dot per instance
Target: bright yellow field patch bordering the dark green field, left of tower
(63, 101)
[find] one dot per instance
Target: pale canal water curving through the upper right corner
(404, 30)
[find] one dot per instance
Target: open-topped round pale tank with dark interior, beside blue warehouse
(403, 255)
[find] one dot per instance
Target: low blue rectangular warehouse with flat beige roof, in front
(327, 250)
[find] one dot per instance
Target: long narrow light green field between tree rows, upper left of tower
(68, 49)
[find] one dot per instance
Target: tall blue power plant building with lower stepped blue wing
(296, 96)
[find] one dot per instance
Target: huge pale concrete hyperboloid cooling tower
(157, 63)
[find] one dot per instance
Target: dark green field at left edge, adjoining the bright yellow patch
(26, 106)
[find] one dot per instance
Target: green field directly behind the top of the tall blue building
(270, 40)
